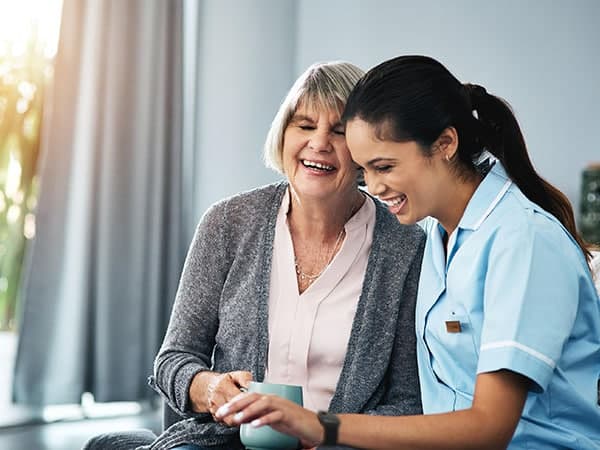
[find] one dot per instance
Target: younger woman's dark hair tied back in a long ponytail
(415, 98)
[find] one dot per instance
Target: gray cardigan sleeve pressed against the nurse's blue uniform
(402, 394)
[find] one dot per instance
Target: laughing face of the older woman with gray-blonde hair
(316, 159)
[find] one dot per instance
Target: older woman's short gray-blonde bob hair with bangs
(323, 85)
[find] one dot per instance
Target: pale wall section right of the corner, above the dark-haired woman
(541, 56)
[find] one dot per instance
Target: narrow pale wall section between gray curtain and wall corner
(245, 52)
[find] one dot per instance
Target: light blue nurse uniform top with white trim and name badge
(512, 292)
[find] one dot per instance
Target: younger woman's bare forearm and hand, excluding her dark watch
(466, 429)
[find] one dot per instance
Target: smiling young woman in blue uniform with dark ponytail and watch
(508, 319)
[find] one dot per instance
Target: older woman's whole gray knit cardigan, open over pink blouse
(219, 320)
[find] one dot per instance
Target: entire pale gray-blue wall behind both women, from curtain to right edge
(542, 56)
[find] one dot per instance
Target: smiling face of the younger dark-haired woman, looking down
(398, 173)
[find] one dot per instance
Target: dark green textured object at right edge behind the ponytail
(590, 204)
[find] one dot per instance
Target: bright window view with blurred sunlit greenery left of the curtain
(28, 39)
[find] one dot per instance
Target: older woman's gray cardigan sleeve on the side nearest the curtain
(190, 338)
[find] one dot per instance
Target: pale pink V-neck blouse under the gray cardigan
(309, 332)
